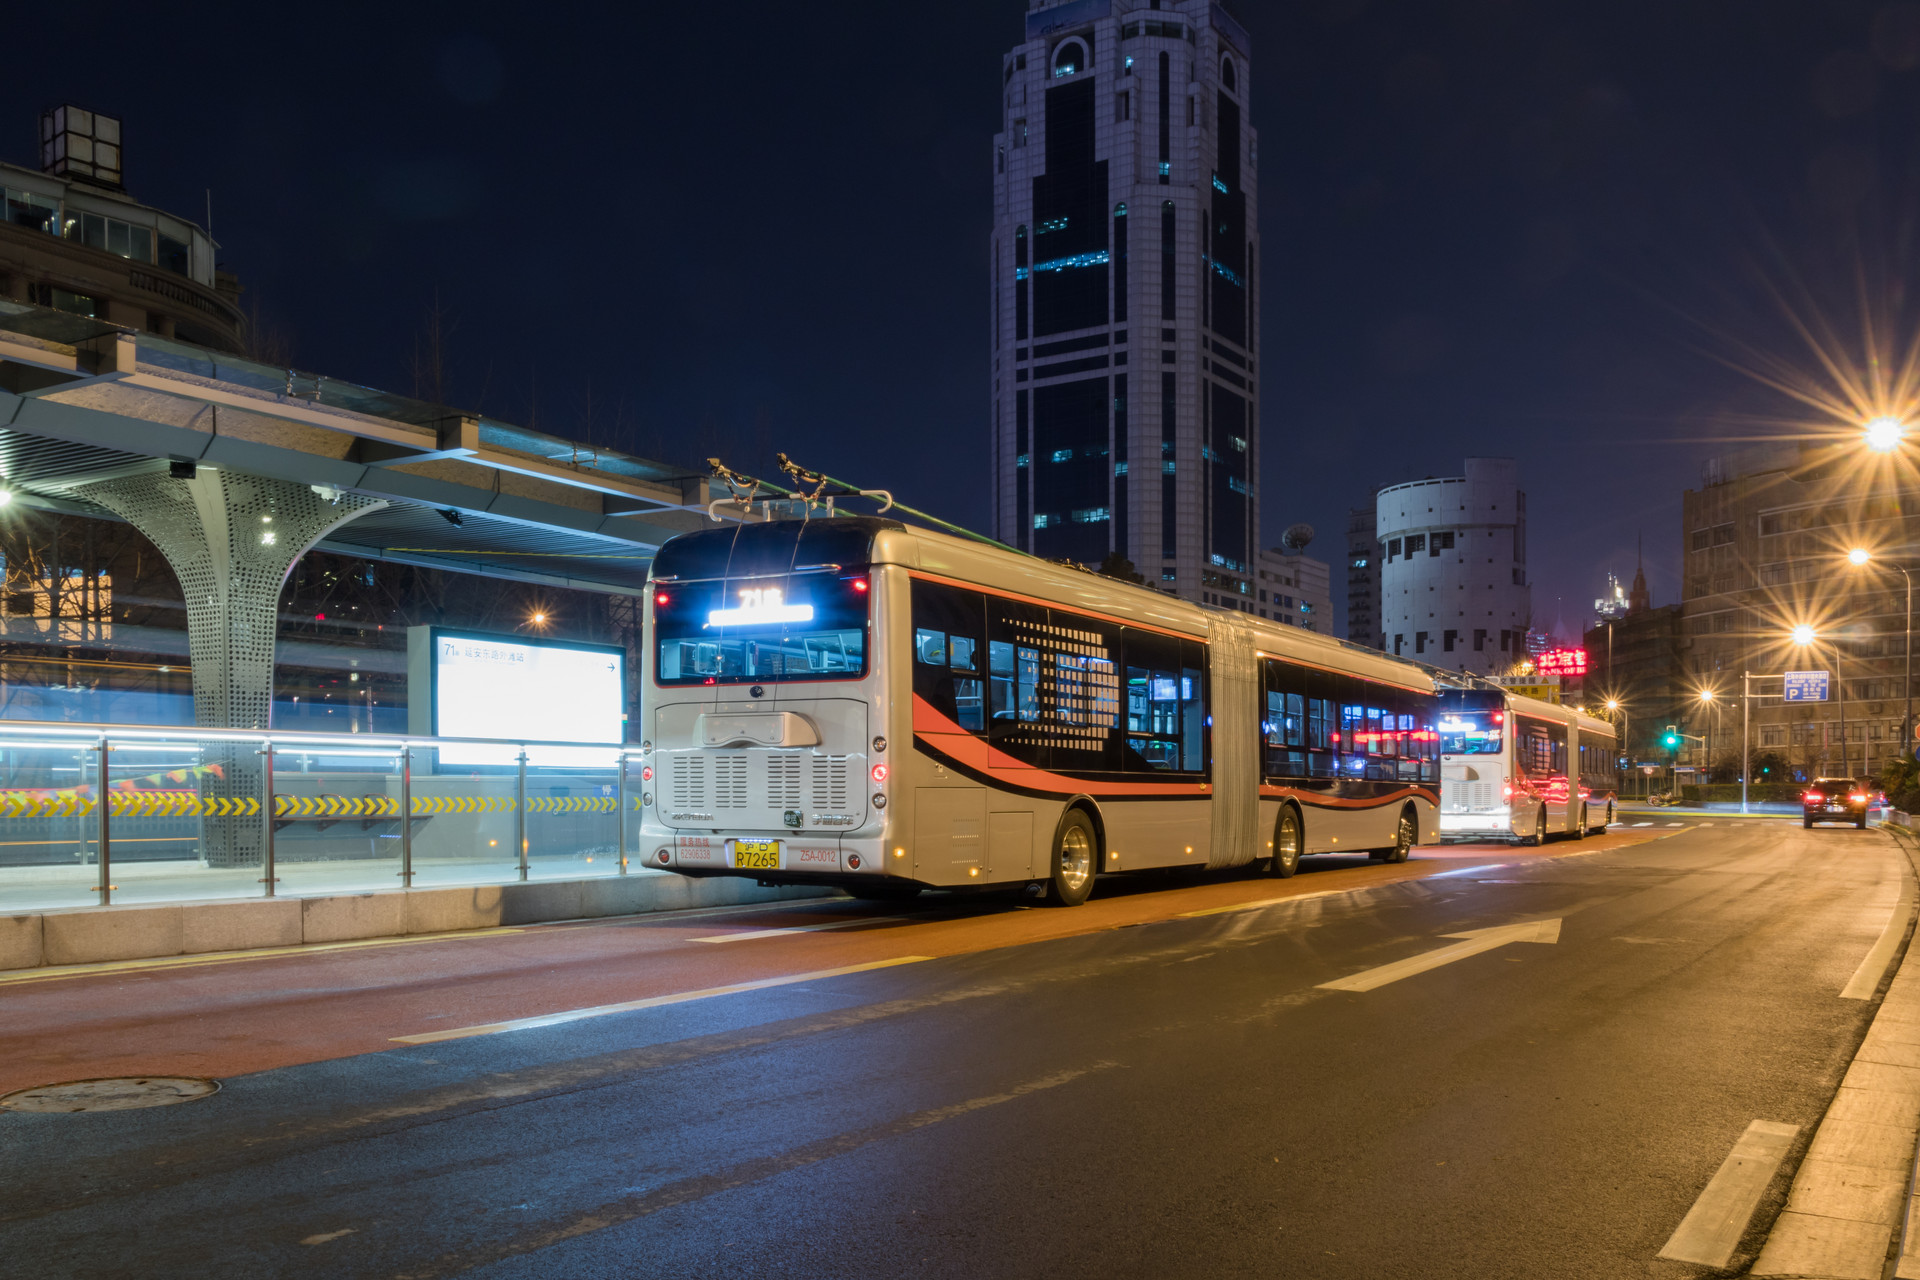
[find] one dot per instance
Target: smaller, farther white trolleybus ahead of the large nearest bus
(1520, 770)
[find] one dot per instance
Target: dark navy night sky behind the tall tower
(1489, 227)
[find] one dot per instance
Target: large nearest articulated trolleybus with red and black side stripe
(853, 703)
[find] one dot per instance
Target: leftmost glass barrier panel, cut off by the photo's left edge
(49, 824)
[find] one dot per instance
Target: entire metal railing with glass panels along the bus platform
(97, 815)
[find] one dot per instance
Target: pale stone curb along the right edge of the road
(1854, 1208)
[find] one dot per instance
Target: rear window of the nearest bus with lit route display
(761, 630)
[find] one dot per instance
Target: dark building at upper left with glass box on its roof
(76, 241)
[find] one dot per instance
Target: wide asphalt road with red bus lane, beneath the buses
(1157, 1085)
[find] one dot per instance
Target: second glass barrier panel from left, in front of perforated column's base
(185, 820)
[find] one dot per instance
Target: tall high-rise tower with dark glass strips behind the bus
(1126, 312)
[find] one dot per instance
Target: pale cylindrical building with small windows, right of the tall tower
(1454, 569)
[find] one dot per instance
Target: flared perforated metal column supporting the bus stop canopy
(231, 542)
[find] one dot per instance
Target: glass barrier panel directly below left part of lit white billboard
(464, 822)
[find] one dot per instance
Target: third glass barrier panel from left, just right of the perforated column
(337, 818)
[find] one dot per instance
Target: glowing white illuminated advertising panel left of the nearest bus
(527, 690)
